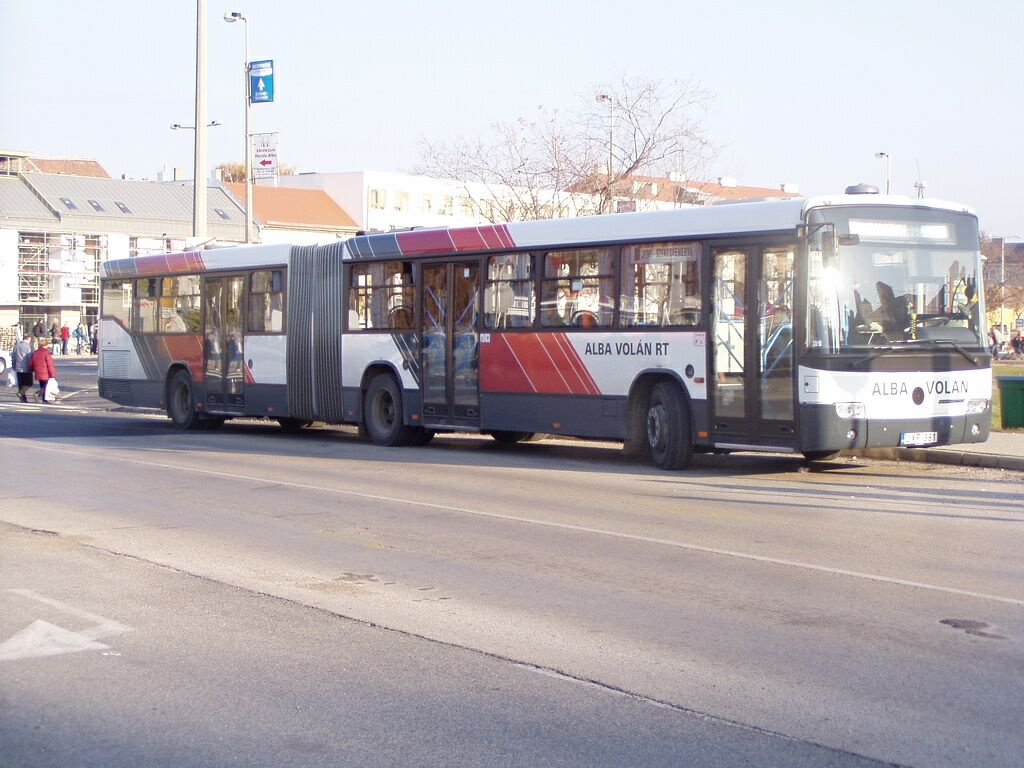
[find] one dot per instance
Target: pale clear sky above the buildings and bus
(803, 92)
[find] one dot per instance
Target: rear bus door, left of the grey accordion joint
(224, 343)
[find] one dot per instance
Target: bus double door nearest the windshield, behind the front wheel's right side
(752, 351)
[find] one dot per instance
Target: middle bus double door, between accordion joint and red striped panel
(450, 361)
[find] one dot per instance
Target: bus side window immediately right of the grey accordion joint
(380, 296)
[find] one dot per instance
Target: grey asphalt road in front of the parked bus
(267, 600)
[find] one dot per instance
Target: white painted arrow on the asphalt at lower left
(45, 639)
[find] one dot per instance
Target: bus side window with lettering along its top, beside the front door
(661, 285)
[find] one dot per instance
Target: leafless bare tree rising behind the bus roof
(554, 165)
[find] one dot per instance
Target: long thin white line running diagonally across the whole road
(562, 527)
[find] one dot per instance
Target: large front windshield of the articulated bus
(885, 276)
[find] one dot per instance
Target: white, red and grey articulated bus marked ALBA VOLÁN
(807, 326)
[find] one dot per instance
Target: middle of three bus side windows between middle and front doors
(578, 288)
